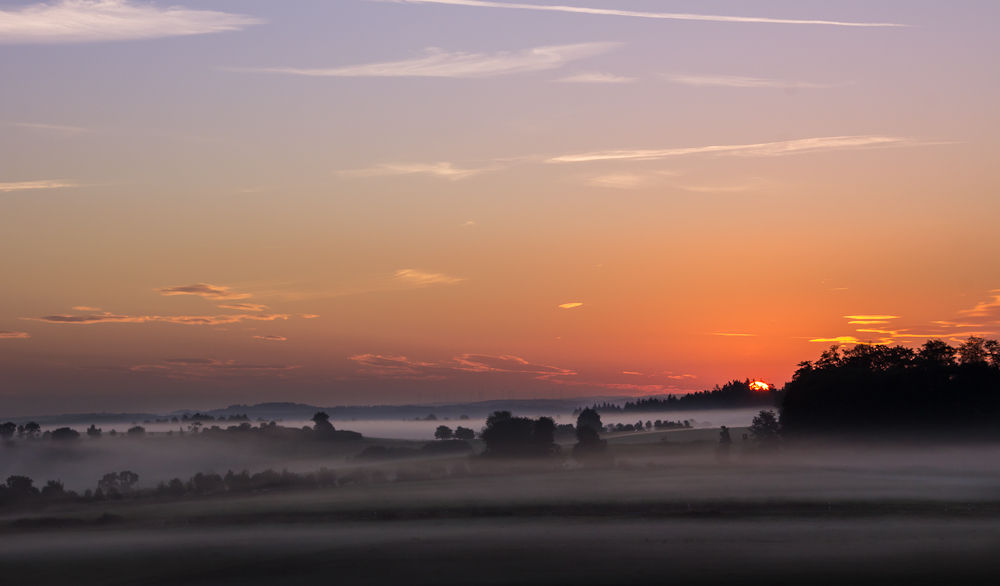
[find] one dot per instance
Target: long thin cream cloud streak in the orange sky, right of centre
(767, 149)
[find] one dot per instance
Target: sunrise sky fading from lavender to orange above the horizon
(379, 202)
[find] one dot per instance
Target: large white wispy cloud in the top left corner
(81, 21)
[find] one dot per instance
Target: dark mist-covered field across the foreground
(668, 511)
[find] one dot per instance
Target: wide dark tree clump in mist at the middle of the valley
(507, 436)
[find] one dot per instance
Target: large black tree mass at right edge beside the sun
(875, 389)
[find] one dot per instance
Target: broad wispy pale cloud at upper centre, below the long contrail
(438, 63)
